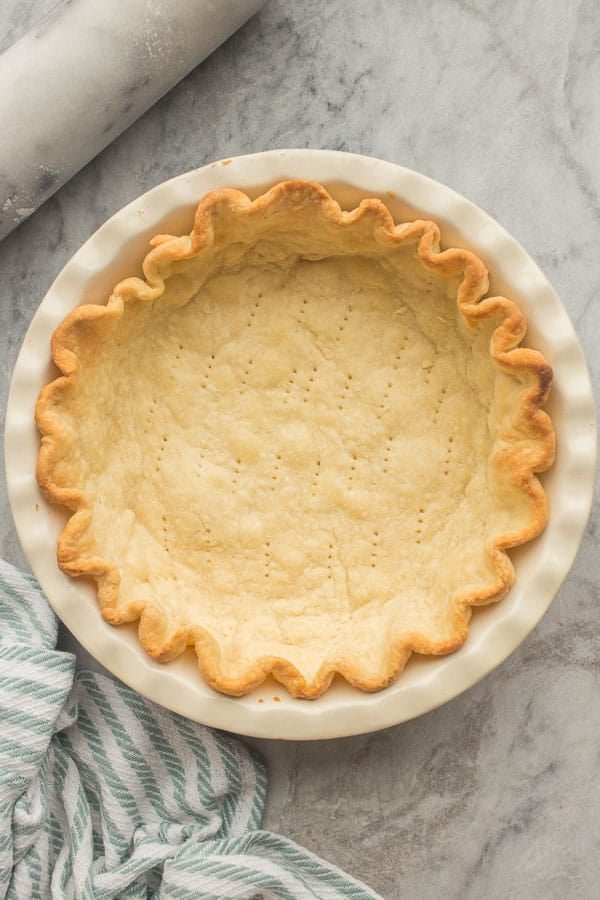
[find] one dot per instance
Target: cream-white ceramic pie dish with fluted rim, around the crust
(115, 251)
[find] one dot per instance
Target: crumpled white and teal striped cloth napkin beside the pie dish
(104, 794)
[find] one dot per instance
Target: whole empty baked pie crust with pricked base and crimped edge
(302, 444)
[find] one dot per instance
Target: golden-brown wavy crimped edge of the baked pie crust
(531, 454)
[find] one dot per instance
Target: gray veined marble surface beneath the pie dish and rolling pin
(497, 794)
